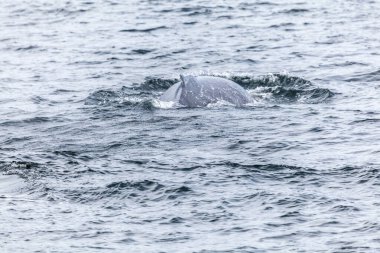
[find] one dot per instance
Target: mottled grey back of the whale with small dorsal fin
(199, 91)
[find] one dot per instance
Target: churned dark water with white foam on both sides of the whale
(271, 88)
